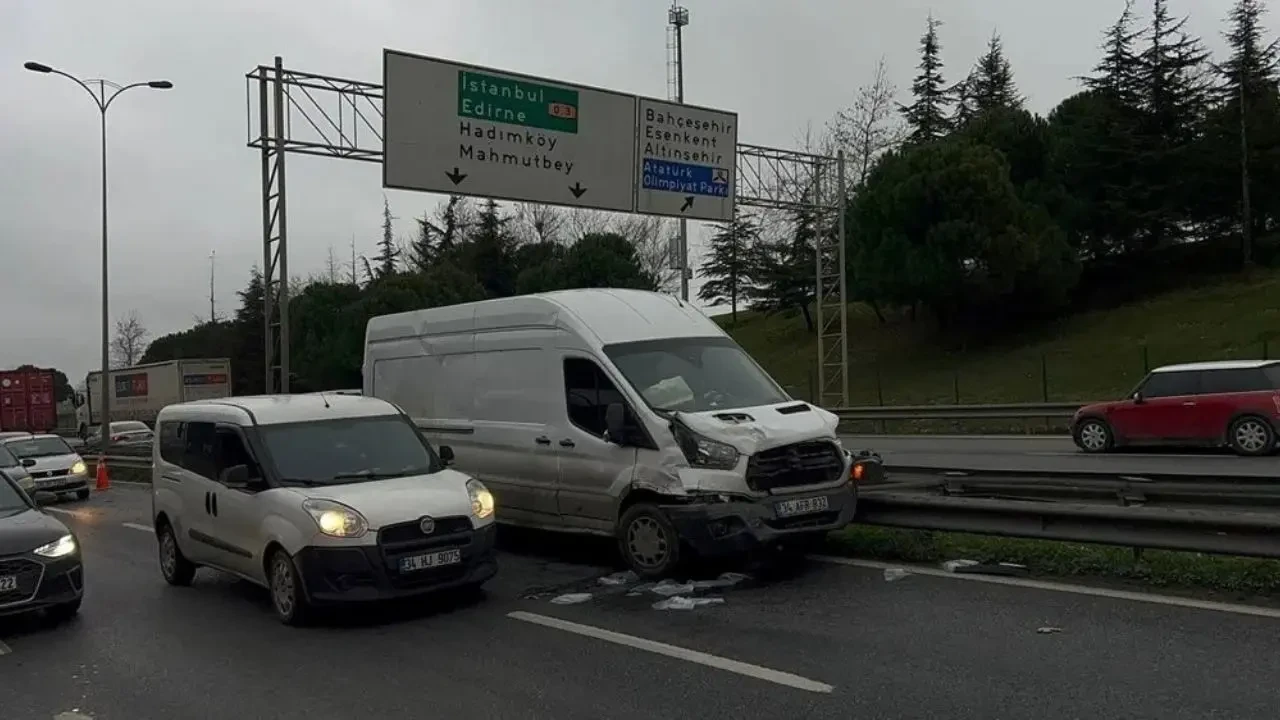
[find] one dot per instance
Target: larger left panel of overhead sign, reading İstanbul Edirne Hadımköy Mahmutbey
(464, 130)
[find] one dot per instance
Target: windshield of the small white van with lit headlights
(349, 450)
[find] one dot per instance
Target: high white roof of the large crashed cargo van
(604, 316)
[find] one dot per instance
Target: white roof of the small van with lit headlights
(277, 409)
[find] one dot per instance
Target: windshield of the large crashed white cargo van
(694, 375)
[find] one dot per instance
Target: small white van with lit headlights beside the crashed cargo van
(322, 499)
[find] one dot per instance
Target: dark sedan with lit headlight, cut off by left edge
(40, 559)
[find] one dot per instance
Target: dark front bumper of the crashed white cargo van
(742, 526)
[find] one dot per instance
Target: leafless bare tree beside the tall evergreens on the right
(871, 126)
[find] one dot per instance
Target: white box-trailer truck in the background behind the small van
(141, 391)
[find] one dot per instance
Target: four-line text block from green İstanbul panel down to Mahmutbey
(487, 103)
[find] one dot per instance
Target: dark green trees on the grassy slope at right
(1165, 167)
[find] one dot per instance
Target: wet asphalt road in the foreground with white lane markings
(917, 648)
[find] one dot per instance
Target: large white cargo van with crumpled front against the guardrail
(621, 413)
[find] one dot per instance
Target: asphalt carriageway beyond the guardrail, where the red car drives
(1048, 454)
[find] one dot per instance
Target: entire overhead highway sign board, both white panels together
(464, 130)
